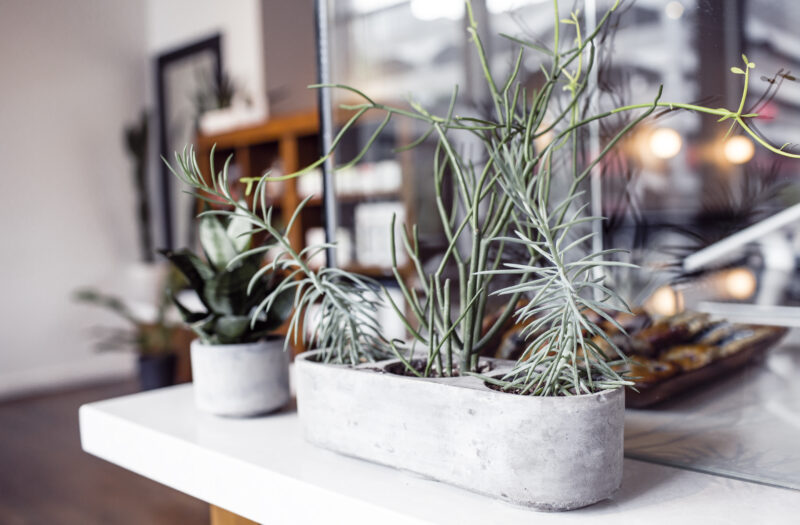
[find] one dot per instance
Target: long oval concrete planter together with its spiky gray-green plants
(545, 431)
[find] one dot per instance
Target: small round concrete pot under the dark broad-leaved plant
(240, 380)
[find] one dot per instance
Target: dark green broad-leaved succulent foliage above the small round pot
(230, 283)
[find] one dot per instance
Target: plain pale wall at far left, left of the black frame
(73, 75)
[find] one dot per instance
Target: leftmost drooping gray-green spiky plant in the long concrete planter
(334, 310)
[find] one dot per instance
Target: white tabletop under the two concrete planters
(262, 469)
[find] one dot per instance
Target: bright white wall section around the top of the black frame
(176, 23)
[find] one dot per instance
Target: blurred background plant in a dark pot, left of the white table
(152, 340)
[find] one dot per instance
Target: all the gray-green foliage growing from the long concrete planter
(526, 192)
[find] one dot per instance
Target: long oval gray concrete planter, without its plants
(543, 452)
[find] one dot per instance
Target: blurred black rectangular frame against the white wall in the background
(173, 83)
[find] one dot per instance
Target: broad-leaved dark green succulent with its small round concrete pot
(239, 367)
